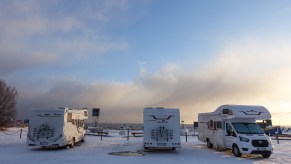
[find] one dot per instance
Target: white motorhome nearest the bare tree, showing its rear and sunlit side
(59, 127)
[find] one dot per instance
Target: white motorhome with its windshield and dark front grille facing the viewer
(234, 127)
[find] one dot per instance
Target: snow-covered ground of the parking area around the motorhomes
(13, 151)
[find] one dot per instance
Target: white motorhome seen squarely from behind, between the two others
(161, 128)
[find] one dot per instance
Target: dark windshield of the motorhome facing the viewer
(247, 128)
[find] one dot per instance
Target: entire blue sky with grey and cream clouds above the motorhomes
(124, 55)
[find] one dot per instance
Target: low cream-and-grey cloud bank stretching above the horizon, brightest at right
(246, 72)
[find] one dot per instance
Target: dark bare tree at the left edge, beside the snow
(7, 104)
